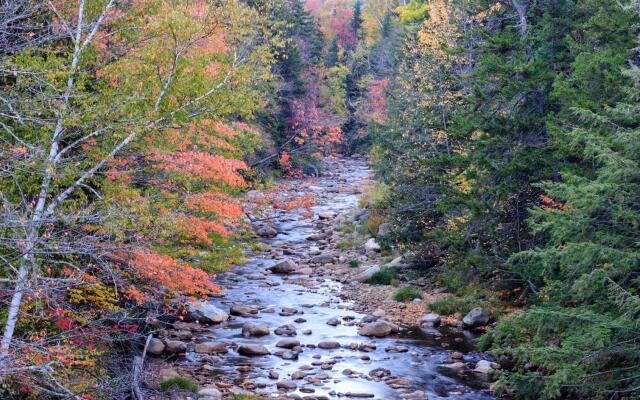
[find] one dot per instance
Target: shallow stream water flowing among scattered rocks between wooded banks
(344, 371)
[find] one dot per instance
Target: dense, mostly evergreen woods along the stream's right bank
(510, 158)
